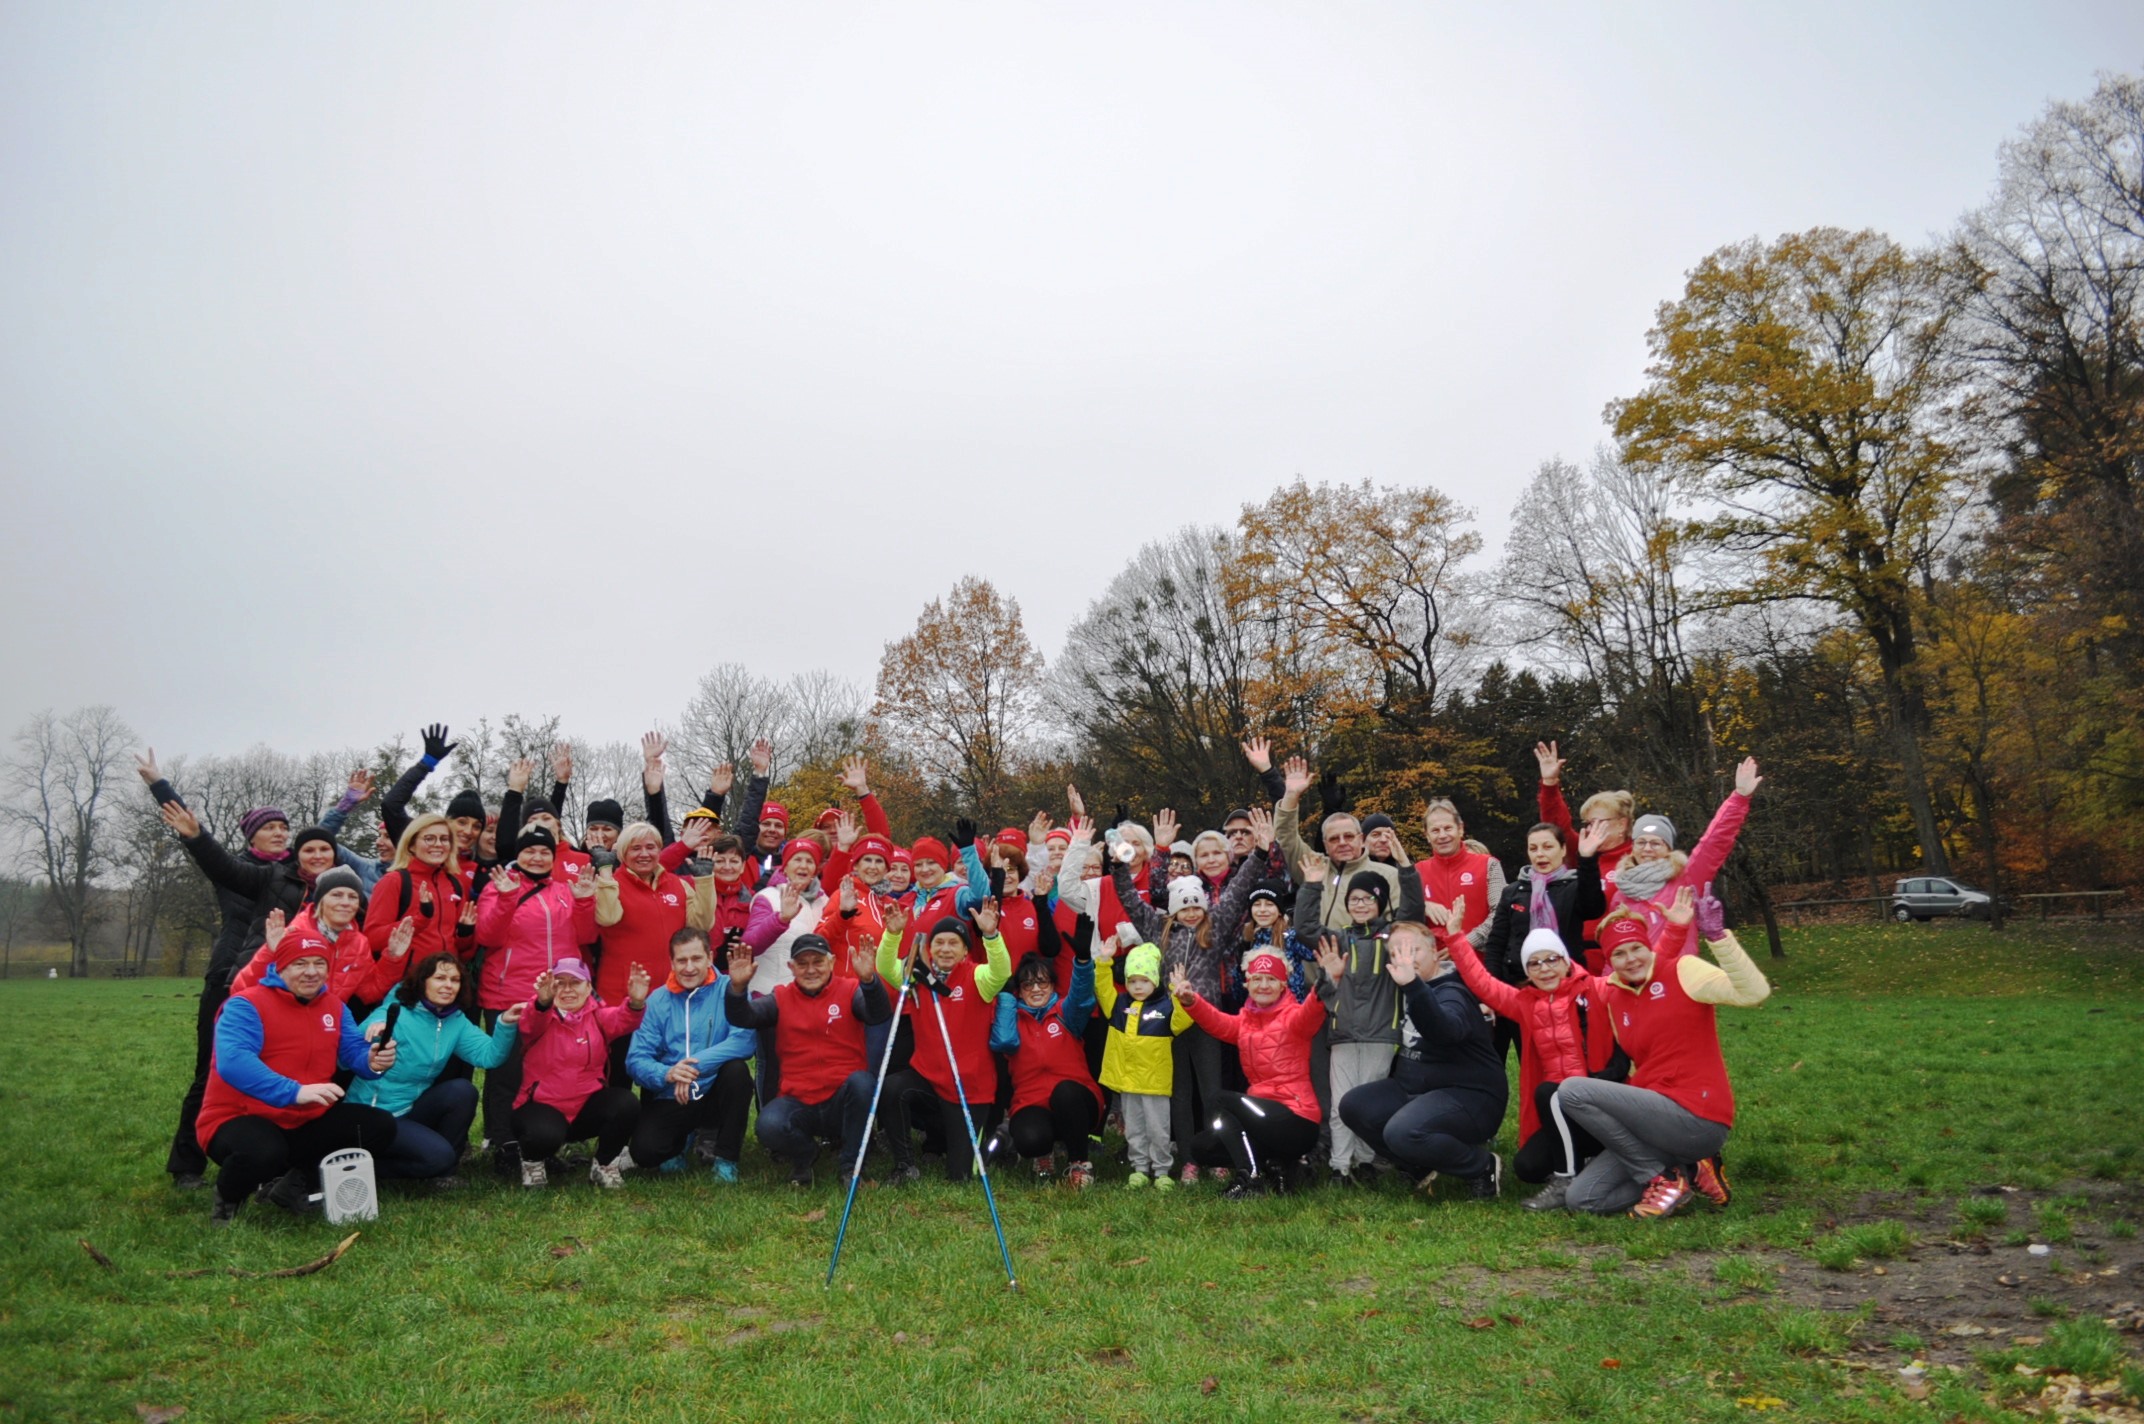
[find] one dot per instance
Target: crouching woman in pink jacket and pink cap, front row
(565, 1065)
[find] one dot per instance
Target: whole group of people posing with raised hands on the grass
(1245, 1007)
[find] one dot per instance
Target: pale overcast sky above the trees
(370, 366)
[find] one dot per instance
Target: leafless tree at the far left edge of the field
(61, 786)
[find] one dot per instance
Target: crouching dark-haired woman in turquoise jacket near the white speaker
(432, 1112)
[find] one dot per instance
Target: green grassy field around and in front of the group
(1899, 1082)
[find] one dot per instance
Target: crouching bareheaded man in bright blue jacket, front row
(694, 1065)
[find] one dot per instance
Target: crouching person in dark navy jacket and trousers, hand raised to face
(1446, 1097)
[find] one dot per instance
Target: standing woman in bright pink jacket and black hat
(526, 921)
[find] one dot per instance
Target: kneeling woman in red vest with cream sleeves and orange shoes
(1665, 1129)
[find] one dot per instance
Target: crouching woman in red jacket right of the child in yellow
(1266, 1131)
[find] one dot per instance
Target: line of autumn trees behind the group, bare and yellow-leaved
(1873, 516)
